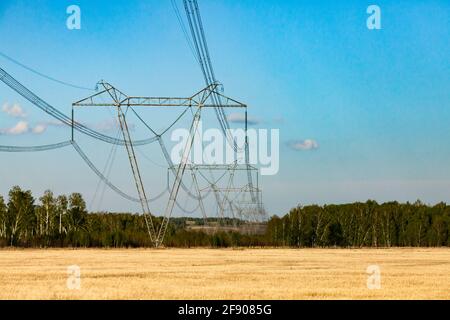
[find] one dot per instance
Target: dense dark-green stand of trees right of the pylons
(368, 224)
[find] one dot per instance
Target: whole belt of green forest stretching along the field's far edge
(63, 221)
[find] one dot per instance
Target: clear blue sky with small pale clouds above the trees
(377, 102)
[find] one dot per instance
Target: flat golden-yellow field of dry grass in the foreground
(225, 274)
